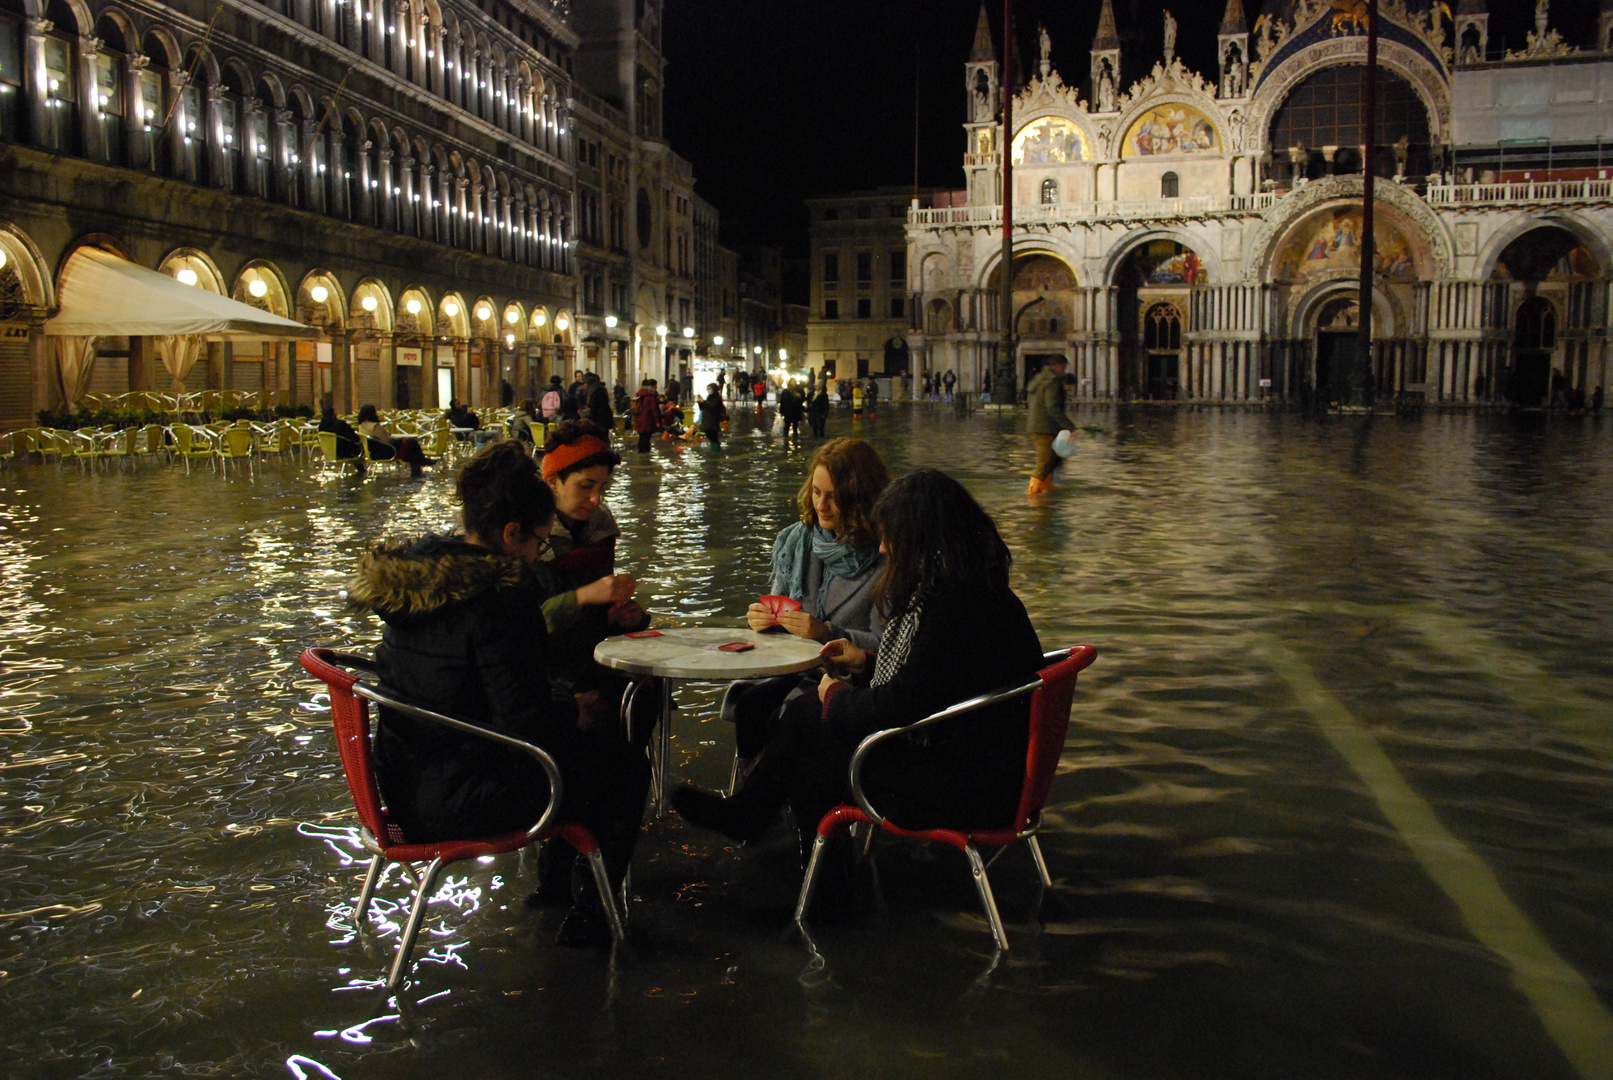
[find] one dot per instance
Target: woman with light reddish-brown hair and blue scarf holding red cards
(828, 562)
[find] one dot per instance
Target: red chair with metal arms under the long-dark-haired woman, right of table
(1051, 697)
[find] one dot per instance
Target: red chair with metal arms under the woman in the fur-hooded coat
(383, 837)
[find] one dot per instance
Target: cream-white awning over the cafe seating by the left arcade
(104, 296)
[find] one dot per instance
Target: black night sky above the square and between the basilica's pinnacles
(780, 101)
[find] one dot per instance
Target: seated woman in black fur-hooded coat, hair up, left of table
(461, 639)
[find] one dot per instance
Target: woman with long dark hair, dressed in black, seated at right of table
(954, 631)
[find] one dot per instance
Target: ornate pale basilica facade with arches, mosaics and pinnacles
(1191, 238)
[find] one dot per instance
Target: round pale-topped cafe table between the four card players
(693, 655)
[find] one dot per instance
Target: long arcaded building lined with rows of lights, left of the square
(430, 183)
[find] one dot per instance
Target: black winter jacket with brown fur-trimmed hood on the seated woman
(464, 636)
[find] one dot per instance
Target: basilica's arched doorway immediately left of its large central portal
(1154, 288)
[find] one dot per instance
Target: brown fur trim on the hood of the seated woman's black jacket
(402, 579)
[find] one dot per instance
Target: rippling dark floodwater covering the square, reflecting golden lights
(1338, 799)
